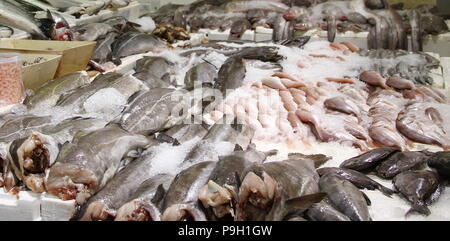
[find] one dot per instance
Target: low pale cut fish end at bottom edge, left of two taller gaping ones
(183, 212)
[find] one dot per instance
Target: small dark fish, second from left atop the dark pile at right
(400, 162)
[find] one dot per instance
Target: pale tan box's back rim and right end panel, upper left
(75, 54)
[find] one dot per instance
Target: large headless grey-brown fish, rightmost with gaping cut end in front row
(273, 190)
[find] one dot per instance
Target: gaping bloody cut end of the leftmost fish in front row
(31, 158)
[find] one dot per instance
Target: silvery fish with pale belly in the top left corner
(13, 16)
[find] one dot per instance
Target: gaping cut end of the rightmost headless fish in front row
(258, 192)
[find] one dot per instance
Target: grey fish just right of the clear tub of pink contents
(48, 95)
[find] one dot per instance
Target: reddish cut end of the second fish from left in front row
(69, 182)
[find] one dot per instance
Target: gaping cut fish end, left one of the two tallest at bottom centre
(220, 199)
